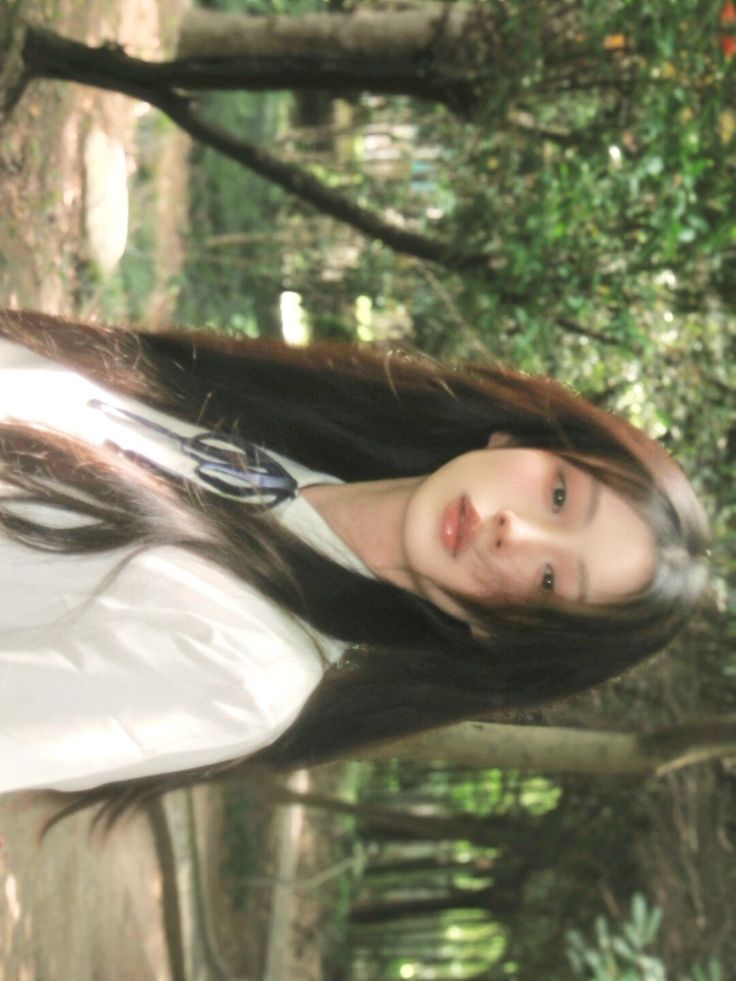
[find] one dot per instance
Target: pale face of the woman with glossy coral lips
(513, 524)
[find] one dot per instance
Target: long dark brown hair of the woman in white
(361, 415)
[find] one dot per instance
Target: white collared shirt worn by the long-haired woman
(176, 664)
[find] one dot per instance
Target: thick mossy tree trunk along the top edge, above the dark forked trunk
(435, 52)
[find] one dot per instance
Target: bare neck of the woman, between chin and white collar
(369, 518)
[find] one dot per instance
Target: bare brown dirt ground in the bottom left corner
(79, 909)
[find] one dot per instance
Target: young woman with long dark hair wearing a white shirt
(215, 551)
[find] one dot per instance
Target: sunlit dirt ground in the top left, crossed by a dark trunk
(66, 154)
